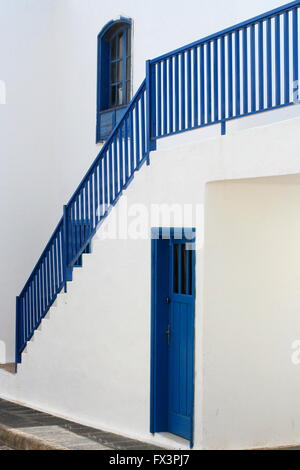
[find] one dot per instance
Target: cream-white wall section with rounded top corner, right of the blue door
(251, 305)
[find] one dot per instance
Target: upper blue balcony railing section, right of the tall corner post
(246, 69)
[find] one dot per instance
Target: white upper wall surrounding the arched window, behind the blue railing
(48, 51)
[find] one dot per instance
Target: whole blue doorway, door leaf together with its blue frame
(173, 328)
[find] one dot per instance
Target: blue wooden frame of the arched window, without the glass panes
(105, 109)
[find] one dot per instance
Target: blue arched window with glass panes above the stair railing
(114, 75)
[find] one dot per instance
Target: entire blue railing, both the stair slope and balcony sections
(250, 68)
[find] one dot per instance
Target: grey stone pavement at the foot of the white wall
(60, 432)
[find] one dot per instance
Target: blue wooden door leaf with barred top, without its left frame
(180, 338)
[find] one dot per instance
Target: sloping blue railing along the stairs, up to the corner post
(121, 156)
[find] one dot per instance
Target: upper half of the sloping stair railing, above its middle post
(122, 155)
